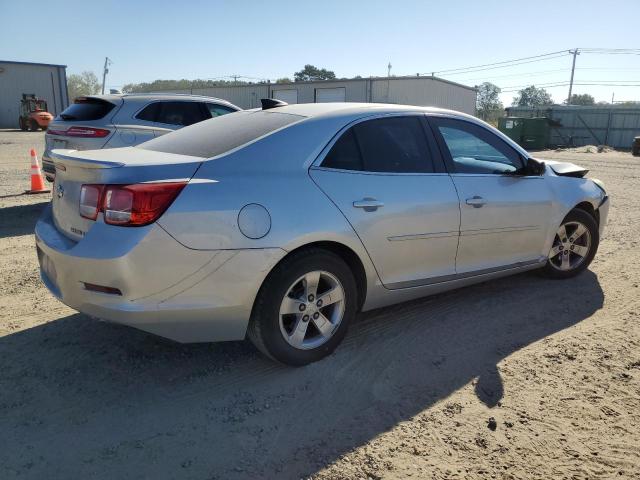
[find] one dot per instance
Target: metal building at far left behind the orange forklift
(46, 81)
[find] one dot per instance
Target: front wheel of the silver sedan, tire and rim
(574, 245)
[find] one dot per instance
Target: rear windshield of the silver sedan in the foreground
(221, 134)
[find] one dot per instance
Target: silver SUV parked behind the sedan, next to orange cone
(122, 120)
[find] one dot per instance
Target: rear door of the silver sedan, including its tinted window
(388, 181)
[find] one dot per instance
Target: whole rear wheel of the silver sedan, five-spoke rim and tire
(304, 307)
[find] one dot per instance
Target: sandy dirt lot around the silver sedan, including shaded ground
(556, 365)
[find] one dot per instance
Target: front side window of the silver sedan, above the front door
(474, 149)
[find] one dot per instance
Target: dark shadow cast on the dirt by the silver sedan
(86, 399)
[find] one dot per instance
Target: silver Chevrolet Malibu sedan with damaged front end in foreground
(279, 224)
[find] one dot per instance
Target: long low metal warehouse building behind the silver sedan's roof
(424, 91)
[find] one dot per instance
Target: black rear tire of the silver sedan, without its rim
(264, 327)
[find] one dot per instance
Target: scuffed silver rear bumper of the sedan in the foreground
(168, 290)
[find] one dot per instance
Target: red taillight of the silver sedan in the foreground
(128, 205)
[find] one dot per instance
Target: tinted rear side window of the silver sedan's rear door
(390, 145)
